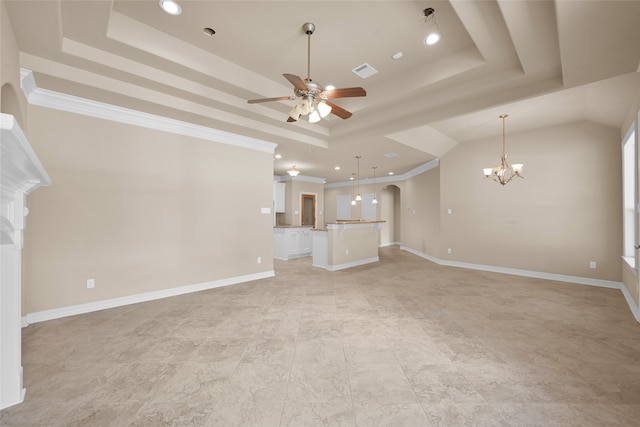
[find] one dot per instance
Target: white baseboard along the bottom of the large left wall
(73, 310)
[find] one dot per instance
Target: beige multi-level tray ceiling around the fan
(541, 62)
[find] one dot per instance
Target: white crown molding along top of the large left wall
(86, 107)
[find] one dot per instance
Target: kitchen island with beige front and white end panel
(346, 244)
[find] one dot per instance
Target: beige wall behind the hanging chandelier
(565, 213)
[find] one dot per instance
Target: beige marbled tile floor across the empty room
(403, 342)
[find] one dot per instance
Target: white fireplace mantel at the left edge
(21, 172)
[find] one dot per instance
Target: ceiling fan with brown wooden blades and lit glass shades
(312, 98)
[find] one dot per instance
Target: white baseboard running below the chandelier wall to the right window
(538, 275)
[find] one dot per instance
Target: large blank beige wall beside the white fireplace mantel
(140, 210)
